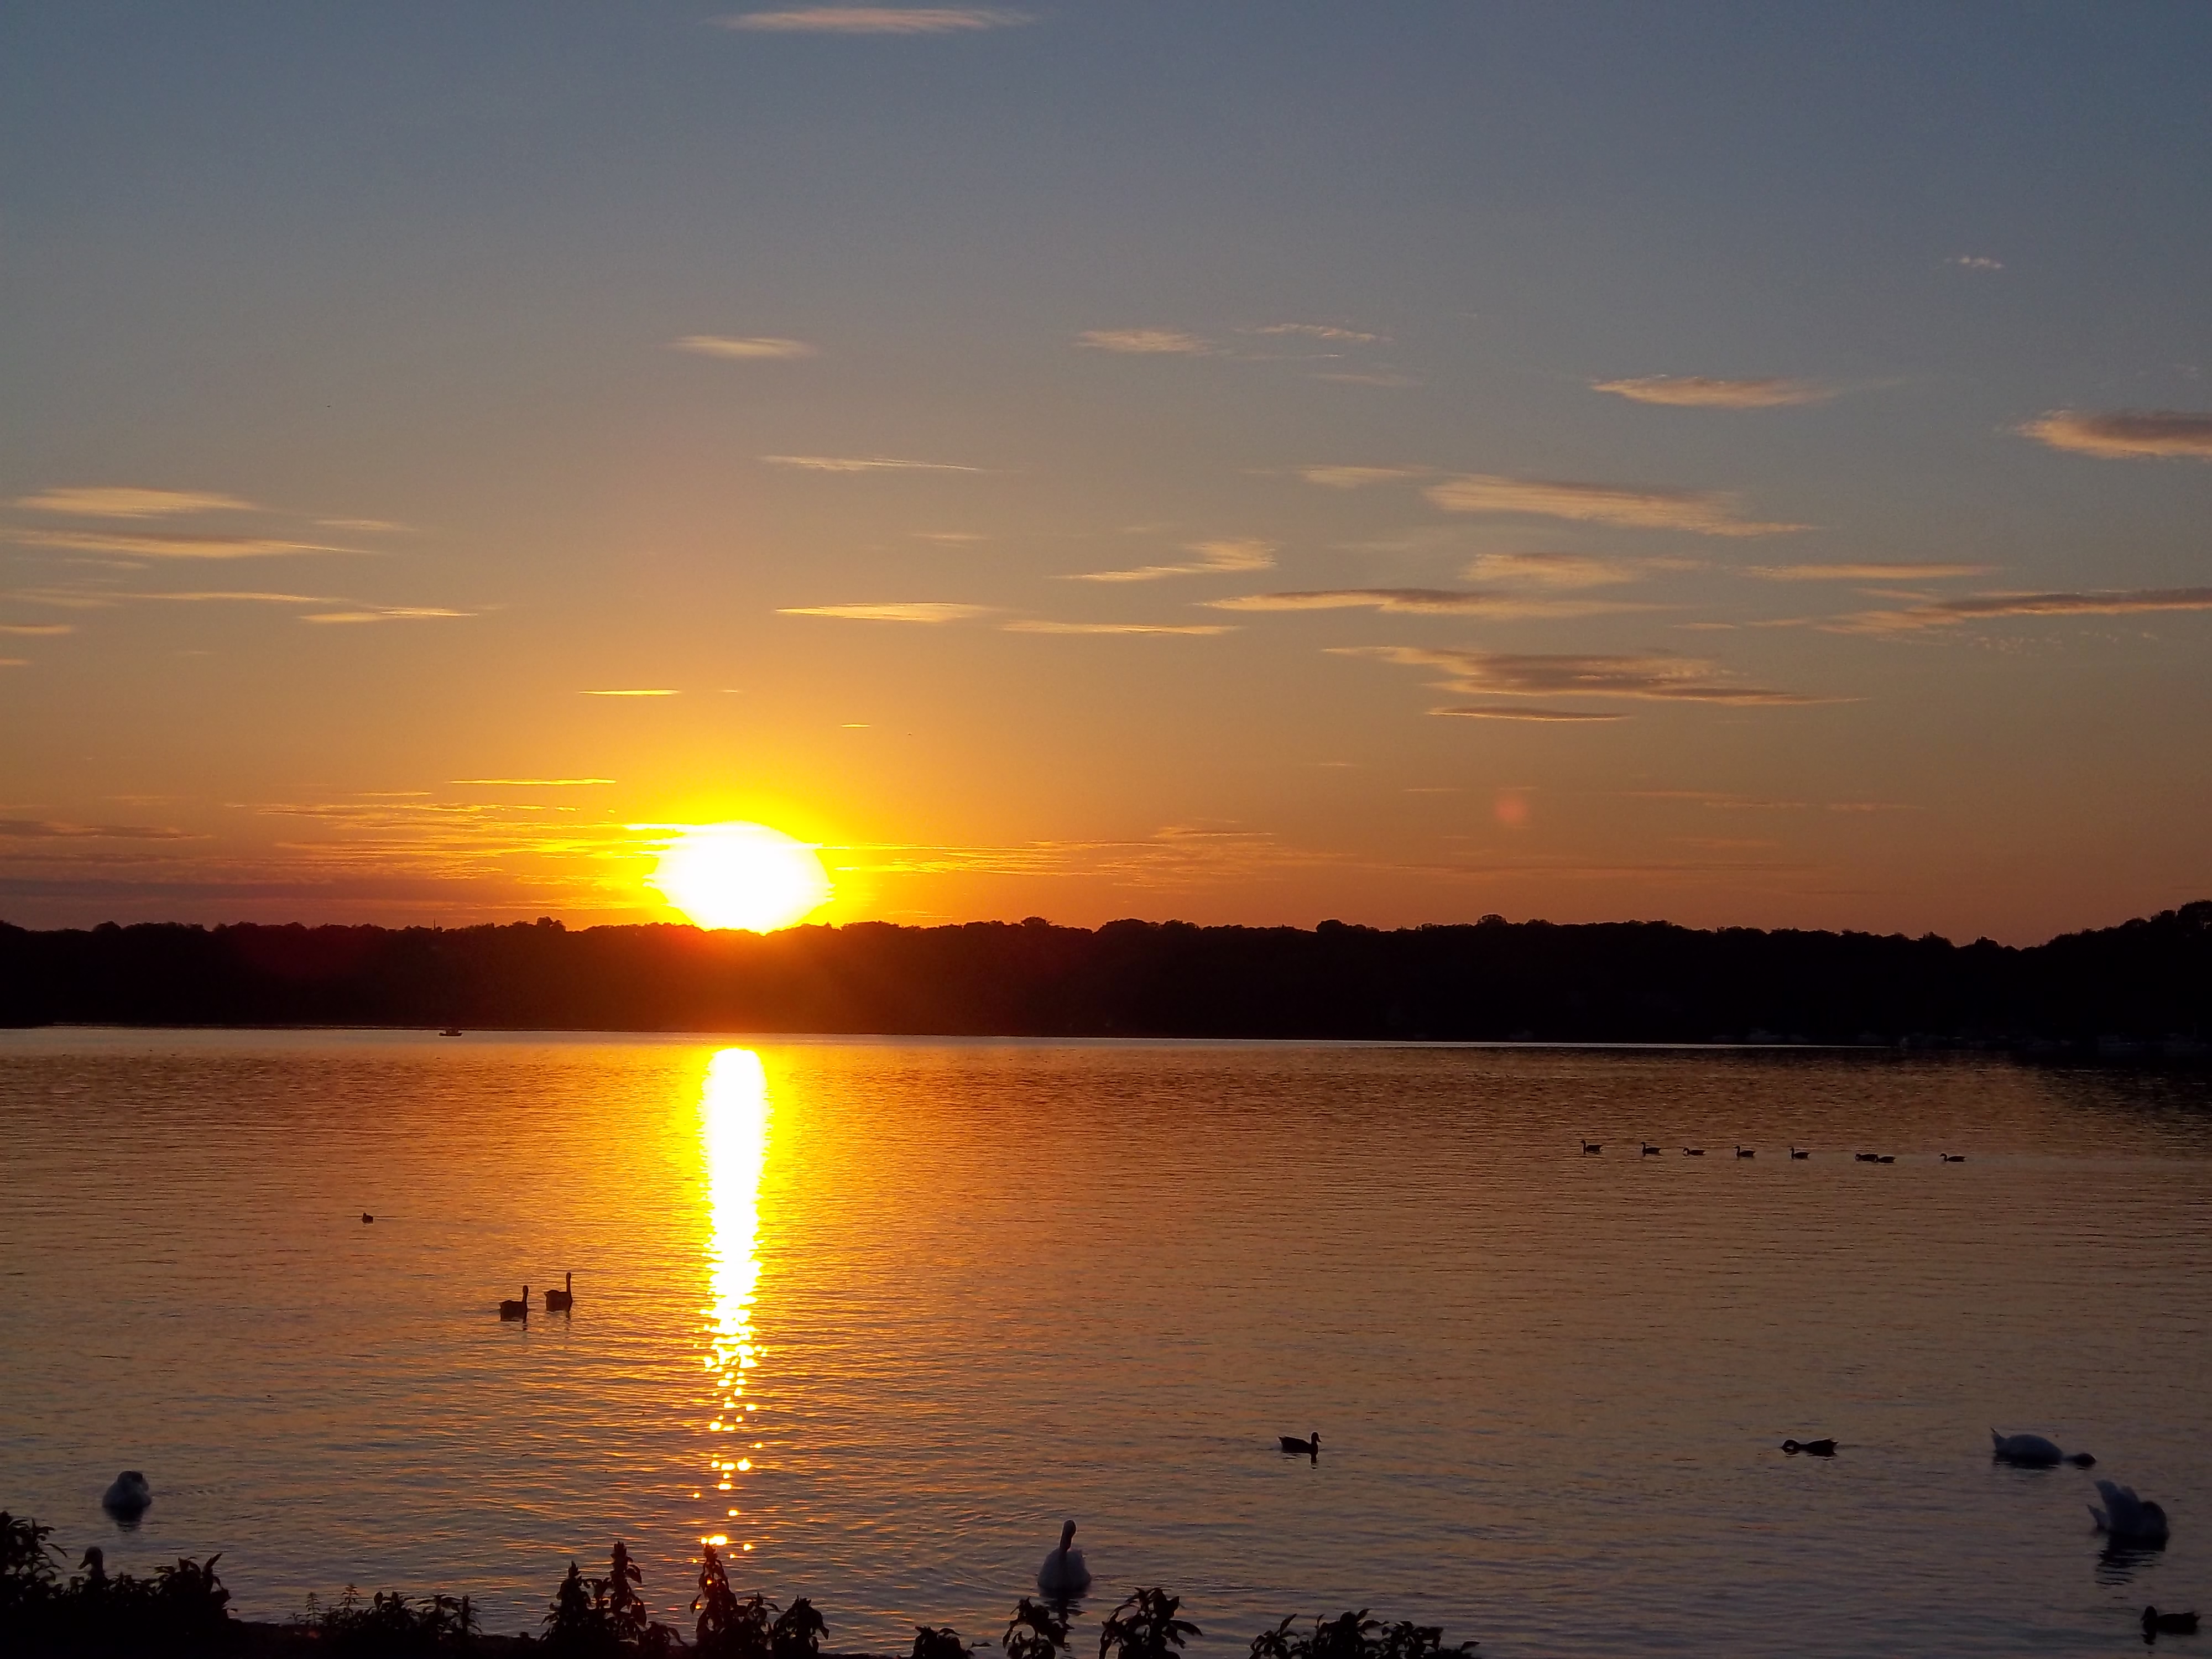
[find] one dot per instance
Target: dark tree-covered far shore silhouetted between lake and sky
(2140, 990)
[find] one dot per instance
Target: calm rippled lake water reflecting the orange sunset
(886, 1313)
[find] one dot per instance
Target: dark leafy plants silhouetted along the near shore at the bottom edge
(185, 1611)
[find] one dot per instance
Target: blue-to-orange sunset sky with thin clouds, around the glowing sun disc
(1087, 459)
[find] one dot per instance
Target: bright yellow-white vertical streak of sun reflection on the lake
(733, 1131)
